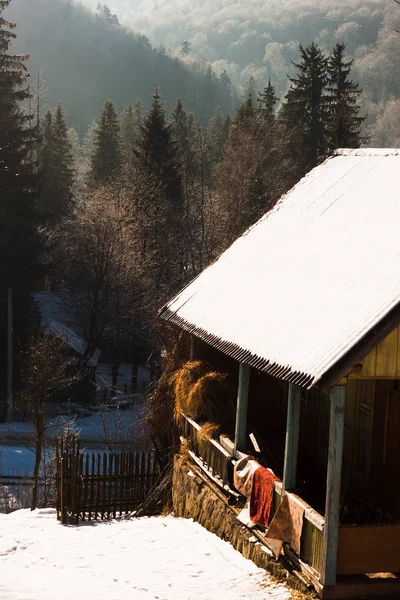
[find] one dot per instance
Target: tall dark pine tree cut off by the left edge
(19, 241)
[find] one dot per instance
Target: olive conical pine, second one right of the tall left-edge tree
(106, 153)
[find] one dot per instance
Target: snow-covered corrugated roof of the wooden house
(302, 286)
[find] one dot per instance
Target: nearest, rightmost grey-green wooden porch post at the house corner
(333, 484)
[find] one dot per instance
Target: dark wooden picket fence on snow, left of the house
(102, 485)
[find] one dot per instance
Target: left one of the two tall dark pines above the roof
(305, 107)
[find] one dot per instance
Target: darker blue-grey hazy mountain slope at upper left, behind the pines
(87, 61)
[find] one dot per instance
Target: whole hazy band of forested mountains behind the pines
(241, 38)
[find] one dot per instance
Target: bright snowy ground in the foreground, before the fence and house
(157, 558)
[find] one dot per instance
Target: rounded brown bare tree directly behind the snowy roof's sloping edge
(257, 168)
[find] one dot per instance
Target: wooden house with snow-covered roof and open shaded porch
(305, 309)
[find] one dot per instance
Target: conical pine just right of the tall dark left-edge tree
(57, 168)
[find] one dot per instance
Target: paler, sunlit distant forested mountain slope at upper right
(261, 37)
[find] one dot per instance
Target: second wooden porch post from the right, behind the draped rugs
(292, 438)
